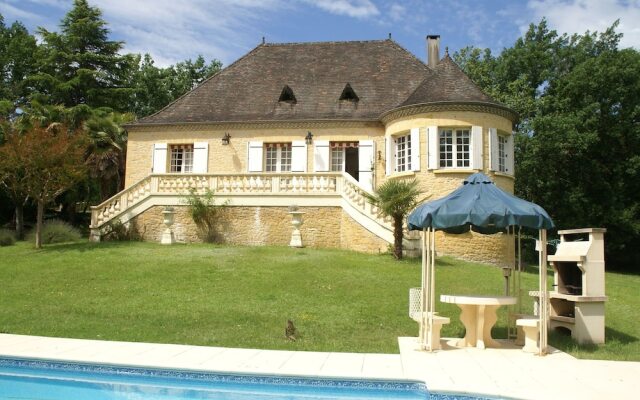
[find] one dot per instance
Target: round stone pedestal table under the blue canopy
(478, 314)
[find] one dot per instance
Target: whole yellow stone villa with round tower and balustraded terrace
(316, 126)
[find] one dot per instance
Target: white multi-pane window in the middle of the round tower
(455, 148)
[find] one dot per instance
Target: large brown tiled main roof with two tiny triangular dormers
(381, 73)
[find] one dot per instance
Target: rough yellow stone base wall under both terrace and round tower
(324, 227)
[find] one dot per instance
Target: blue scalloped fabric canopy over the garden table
(481, 206)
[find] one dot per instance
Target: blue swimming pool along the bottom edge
(38, 379)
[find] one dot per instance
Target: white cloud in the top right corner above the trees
(578, 16)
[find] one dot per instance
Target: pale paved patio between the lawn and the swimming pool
(505, 372)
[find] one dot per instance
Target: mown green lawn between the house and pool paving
(243, 296)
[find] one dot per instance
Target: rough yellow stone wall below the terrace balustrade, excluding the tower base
(324, 227)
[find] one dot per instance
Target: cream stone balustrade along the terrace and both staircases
(308, 189)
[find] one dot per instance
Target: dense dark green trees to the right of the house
(578, 138)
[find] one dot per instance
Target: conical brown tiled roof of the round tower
(447, 83)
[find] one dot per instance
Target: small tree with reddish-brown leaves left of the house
(46, 173)
